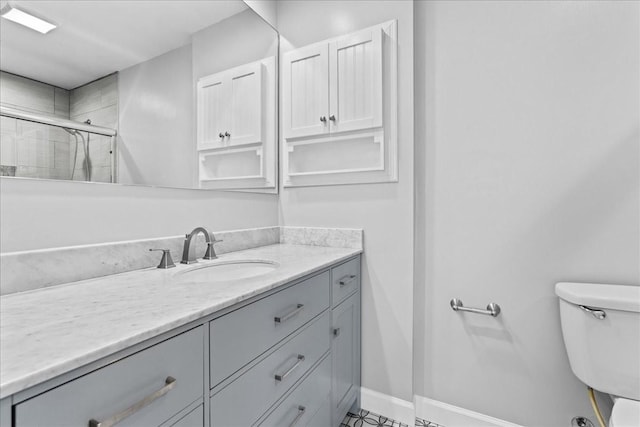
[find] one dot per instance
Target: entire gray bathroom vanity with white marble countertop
(160, 347)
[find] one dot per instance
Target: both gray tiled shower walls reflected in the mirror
(35, 150)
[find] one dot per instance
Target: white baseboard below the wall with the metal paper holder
(454, 416)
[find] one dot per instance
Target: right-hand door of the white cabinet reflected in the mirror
(245, 105)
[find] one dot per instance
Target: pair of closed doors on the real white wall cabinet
(334, 87)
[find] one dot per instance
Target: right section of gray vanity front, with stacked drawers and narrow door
(310, 376)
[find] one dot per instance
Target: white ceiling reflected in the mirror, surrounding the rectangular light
(97, 37)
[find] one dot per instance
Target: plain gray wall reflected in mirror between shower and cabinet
(155, 137)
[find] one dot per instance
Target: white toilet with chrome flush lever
(601, 330)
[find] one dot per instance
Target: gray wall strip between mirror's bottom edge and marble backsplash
(48, 214)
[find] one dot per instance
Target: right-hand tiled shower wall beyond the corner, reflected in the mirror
(96, 101)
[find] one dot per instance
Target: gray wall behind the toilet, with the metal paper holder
(527, 145)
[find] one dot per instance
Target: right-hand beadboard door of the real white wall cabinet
(355, 87)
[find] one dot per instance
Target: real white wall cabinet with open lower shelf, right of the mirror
(339, 109)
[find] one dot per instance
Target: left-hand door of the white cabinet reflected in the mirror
(212, 111)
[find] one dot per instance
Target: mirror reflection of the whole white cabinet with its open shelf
(236, 120)
